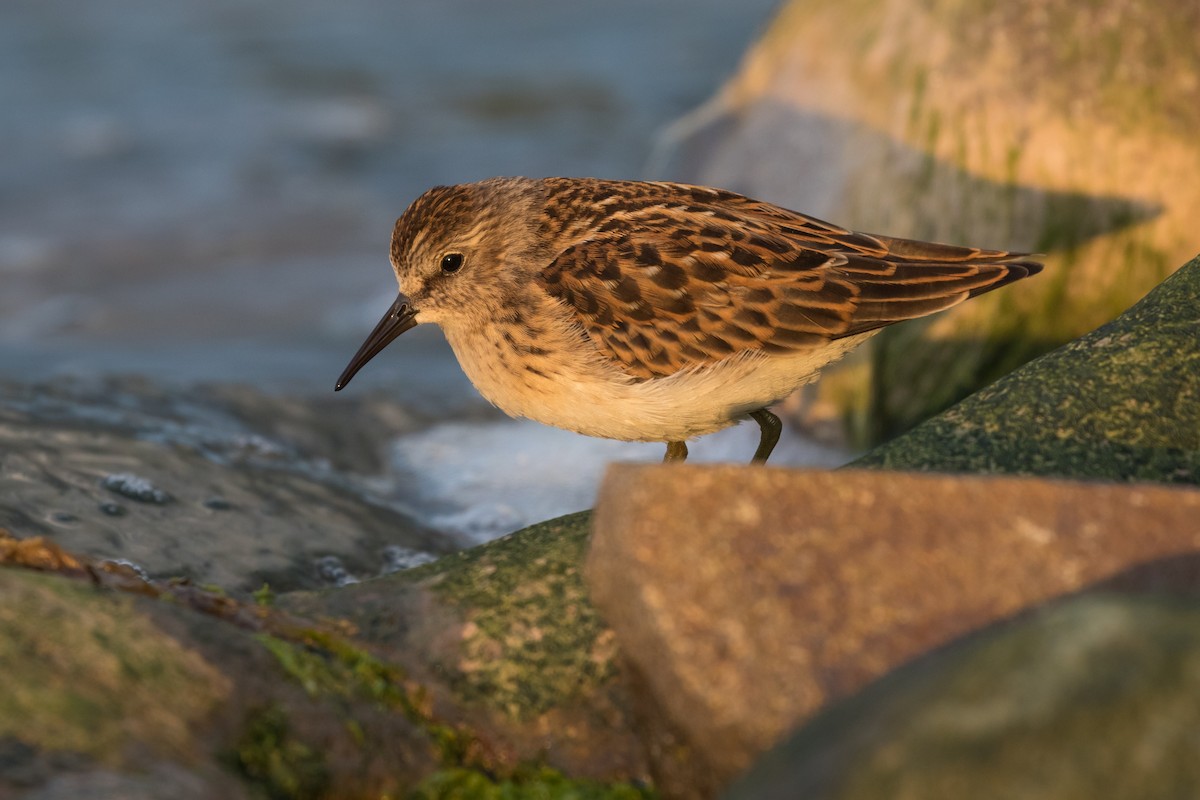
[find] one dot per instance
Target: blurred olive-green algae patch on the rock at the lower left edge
(86, 672)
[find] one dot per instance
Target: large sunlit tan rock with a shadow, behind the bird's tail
(950, 122)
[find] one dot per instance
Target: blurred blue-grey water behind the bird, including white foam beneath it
(203, 193)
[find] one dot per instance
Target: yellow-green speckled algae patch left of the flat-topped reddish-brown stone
(530, 639)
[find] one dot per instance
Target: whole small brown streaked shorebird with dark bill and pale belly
(651, 311)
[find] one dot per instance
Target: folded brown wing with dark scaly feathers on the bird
(680, 276)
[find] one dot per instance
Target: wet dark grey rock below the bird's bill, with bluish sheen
(225, 486)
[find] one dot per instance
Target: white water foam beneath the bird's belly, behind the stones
(481, 482)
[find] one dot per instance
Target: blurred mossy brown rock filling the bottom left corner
(112, 679)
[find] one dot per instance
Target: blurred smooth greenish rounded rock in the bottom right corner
(1095, 697)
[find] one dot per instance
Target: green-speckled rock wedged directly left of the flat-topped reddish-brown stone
(507, 643)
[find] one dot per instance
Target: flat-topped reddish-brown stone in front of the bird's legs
(748, 599)
